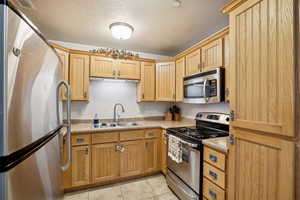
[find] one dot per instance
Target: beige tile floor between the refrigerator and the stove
(148, 188)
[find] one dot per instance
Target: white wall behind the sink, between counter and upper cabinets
(105, 93)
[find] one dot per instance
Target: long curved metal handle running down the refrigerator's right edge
(68, 124)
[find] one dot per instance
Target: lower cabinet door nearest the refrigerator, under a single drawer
(80, 165)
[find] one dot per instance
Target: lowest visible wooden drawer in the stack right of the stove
(211, 191)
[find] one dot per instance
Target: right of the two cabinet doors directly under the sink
(132, 158)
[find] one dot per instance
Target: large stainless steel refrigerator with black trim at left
(30, 112)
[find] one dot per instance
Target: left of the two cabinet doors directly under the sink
(105, 162)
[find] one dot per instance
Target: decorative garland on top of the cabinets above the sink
(115, 53)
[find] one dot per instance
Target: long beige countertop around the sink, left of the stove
(87, 127)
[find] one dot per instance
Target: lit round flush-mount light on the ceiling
(121, 30)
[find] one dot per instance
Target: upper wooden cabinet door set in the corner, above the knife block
(165, 81)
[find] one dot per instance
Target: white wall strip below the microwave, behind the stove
(190, 110)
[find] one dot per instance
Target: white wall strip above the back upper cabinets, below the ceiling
(84, 47)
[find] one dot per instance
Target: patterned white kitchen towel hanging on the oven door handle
(174, 148)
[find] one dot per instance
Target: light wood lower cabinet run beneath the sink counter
(98, 158)
